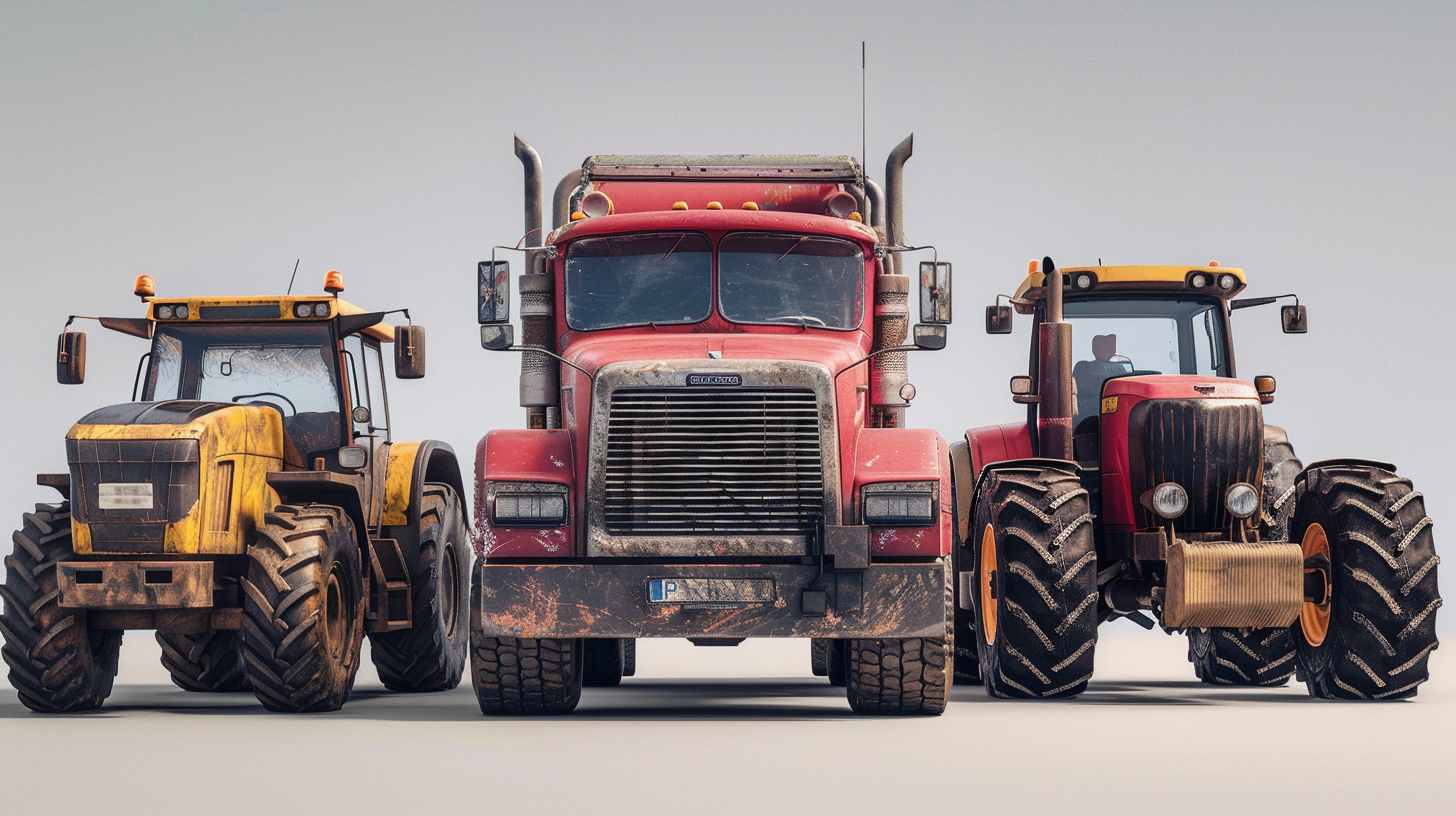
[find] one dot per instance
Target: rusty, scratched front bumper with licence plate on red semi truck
(566, 601)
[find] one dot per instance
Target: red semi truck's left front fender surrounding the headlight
(523, 457)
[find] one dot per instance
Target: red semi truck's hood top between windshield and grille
(832, 350)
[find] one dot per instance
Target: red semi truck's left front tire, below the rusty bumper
(522, 675)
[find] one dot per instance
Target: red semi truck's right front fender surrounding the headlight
(905, 455)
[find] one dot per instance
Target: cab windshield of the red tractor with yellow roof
(1142, 336)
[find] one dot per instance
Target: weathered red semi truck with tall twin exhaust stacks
(716, 385)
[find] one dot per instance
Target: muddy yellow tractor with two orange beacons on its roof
(251, 508)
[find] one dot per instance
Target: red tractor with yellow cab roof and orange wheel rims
(1145, 480)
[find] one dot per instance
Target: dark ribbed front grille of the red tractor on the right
(1203, 445)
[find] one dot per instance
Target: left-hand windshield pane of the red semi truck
(633, 280)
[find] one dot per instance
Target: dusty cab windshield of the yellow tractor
(289, 368)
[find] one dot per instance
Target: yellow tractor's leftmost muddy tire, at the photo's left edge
(58, 662)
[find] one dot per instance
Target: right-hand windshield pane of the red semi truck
(791, 279)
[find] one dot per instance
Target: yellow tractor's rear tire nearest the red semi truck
(430, 655)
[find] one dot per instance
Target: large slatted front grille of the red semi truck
(694, 461)
